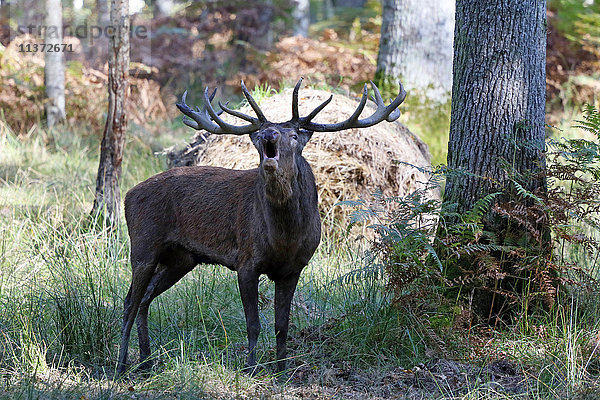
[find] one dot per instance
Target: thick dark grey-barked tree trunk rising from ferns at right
(497, 135)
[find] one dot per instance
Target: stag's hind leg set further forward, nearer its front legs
(173, 266)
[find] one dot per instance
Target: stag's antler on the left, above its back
(208, 119)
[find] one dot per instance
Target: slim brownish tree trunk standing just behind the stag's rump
(108, 198)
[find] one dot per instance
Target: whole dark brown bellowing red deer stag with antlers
(260, 221)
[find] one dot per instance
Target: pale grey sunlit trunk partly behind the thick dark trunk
(416, 45)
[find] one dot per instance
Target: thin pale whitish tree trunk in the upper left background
(54, 69)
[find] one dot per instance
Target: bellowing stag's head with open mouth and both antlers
(279, 144)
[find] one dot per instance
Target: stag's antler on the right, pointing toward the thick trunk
(389, 113)
